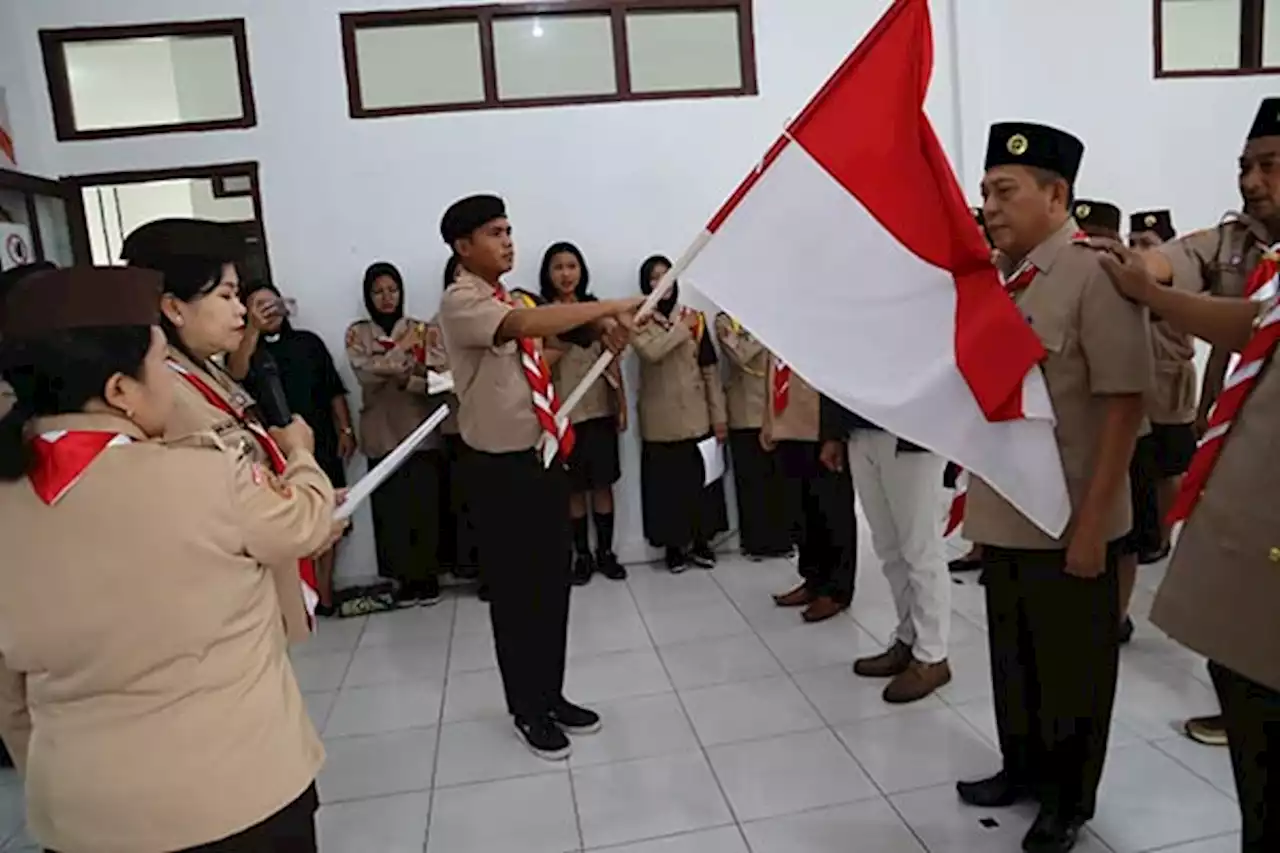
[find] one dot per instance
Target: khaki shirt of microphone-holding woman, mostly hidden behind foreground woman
(194, 414)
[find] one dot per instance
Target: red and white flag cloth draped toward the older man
(853, 254)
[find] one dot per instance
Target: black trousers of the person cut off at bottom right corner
(1252, 717)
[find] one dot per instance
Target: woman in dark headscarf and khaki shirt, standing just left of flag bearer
(391, 357)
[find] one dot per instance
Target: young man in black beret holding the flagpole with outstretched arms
(520, 505)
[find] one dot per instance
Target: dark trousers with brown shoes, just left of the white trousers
(821, 519)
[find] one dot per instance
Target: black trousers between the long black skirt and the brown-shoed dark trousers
(762, 509)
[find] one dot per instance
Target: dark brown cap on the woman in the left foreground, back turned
(79, 298)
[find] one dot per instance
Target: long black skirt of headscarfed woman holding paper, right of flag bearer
(679, 510)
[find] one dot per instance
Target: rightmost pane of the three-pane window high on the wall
(684, 52)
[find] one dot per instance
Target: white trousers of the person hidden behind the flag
(902, 496)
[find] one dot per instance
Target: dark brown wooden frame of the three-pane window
(486, 16)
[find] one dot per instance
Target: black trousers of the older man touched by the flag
(1055, 658)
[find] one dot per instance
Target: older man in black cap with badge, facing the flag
(1053, 604)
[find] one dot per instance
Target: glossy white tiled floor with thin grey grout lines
(729, 728)
